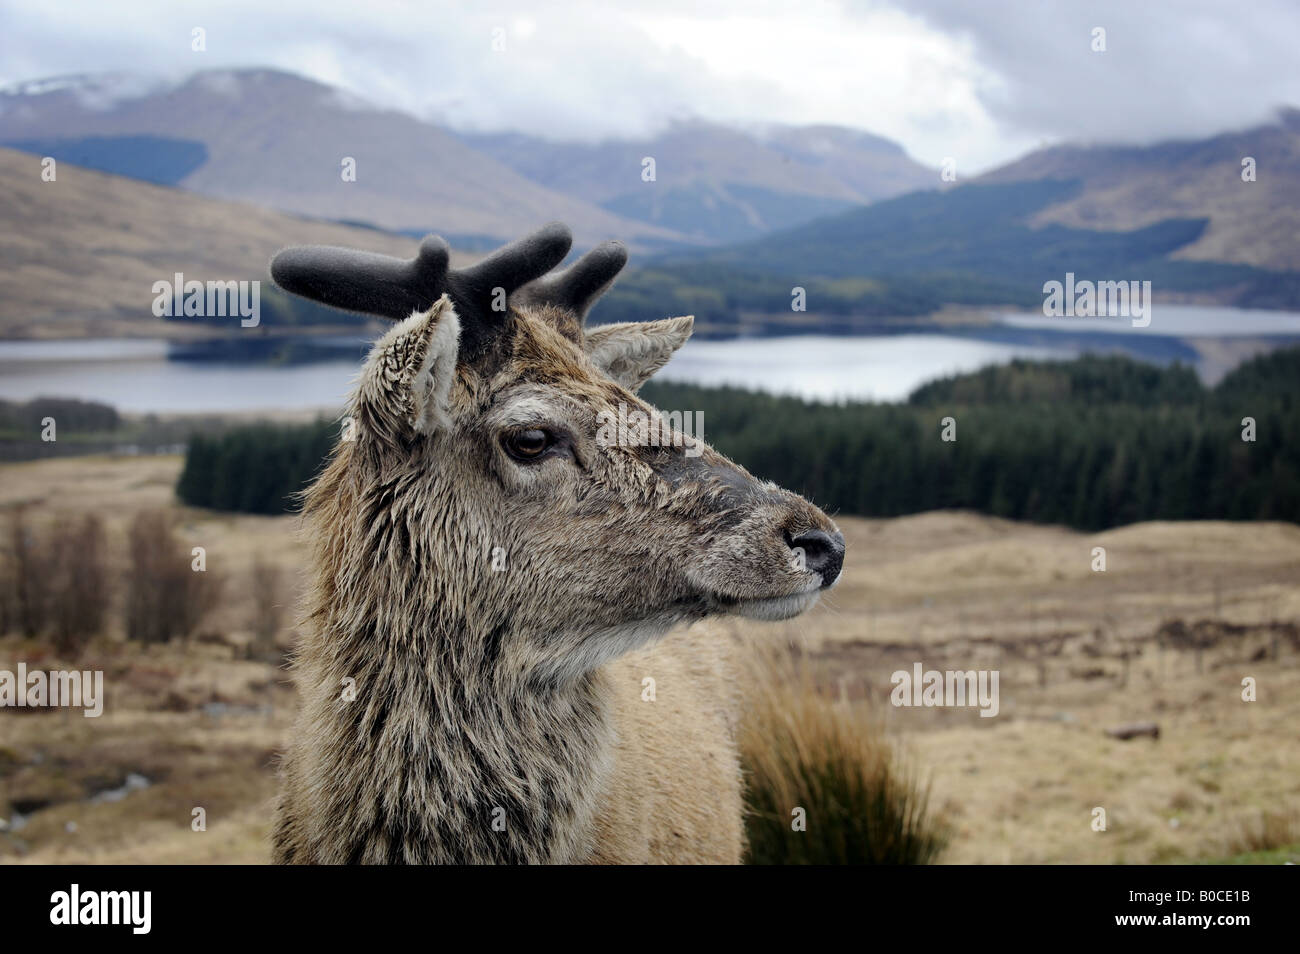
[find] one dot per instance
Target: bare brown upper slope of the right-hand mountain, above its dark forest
(1136, 187)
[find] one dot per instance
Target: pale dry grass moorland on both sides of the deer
(1077, 652)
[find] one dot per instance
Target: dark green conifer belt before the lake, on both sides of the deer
(1091, 444)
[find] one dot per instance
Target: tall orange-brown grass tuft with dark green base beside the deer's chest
(804, 751)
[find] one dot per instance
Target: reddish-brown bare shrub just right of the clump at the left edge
(164, 597)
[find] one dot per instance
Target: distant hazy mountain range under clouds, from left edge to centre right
(280, 141)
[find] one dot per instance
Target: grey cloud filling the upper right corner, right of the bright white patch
(1169, 70)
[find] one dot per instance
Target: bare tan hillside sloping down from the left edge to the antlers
(81, 254)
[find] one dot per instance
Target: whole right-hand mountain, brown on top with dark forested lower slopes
(1175, 214)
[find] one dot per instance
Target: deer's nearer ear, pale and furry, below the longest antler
(408, 380)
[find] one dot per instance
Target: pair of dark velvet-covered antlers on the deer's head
(396, 288)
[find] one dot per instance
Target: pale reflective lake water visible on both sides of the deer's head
(137, 375)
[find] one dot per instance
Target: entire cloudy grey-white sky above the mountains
(978, 81)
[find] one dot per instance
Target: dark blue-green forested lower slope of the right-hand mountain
(905, 258)
